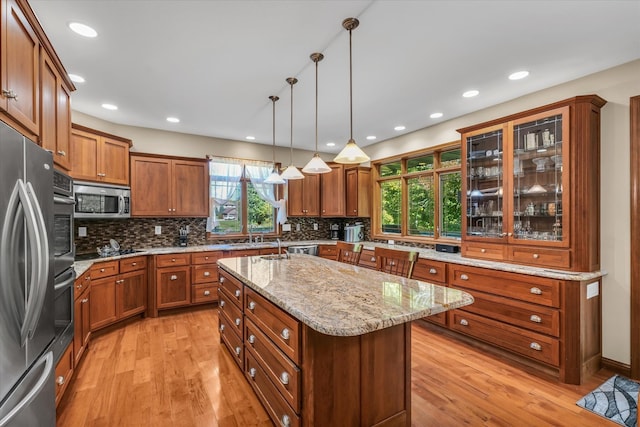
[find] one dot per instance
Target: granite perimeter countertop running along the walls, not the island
(82, 266)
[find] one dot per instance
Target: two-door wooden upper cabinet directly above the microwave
(99, 157)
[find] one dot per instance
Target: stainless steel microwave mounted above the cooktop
(101, 201)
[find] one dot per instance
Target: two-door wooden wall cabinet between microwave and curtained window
(163, 186)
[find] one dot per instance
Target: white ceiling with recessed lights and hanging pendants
(213, 63)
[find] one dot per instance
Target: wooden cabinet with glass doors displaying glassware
(531, 185)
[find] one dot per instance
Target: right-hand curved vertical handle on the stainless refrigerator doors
(42, 251)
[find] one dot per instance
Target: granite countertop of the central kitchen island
(341, 299)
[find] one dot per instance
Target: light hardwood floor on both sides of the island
(172, 371)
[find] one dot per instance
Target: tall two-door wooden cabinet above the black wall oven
(55, 112)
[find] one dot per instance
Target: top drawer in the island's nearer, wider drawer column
(280, 327)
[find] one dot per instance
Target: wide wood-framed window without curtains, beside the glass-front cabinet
(419, 195)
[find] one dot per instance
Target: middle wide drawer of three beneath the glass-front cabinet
(530, 316)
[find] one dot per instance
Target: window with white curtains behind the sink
(240, 200)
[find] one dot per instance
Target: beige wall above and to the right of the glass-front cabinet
(616, 85)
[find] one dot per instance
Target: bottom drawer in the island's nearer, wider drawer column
(279, 411)
